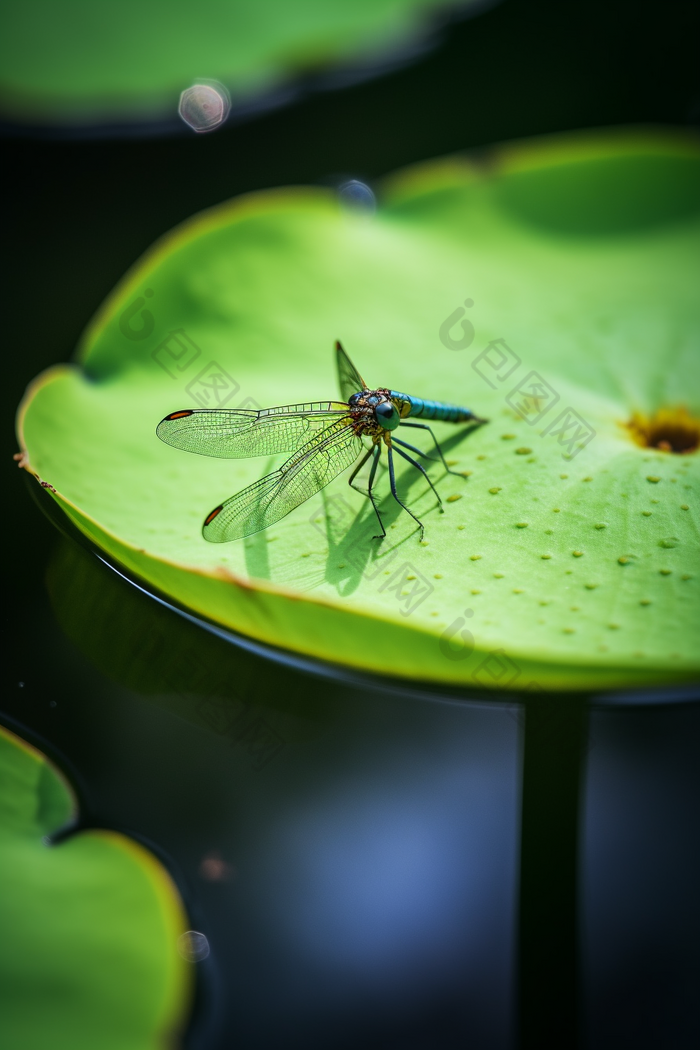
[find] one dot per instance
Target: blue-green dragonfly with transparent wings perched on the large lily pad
(325, 437)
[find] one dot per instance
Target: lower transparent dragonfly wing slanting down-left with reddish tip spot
(271, 498)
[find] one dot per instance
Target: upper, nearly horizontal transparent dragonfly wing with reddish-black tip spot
(238, 433)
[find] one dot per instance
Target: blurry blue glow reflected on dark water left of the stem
(395, 879)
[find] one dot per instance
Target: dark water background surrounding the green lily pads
(77, 215)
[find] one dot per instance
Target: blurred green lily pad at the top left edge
(78, 60)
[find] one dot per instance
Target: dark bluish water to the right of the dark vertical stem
(642, 864)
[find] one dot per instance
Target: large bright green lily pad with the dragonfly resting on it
(566, 558)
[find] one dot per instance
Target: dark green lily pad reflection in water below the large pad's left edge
(193, 674)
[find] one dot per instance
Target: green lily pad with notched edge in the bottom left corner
(91, 923)
